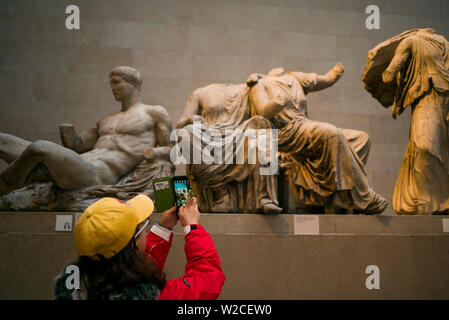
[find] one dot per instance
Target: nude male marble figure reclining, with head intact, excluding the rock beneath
(99, 156)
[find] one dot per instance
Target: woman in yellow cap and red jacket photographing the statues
(118, 260)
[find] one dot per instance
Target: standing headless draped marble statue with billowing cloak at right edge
(412, 70)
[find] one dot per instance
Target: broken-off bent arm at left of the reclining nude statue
(81, 143)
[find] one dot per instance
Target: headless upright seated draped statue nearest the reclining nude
(236, 187)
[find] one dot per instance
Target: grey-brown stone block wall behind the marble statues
(50, 75)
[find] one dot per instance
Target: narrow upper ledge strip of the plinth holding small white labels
(255, 224)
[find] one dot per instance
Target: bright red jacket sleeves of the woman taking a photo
(203, 277)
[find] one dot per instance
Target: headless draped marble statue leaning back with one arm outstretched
(325, 164)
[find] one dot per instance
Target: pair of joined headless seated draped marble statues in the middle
(324, 164)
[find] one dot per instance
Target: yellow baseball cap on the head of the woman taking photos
(108, 225)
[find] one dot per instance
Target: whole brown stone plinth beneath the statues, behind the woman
(263, 256)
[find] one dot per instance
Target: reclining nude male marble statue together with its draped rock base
(105, 160)
